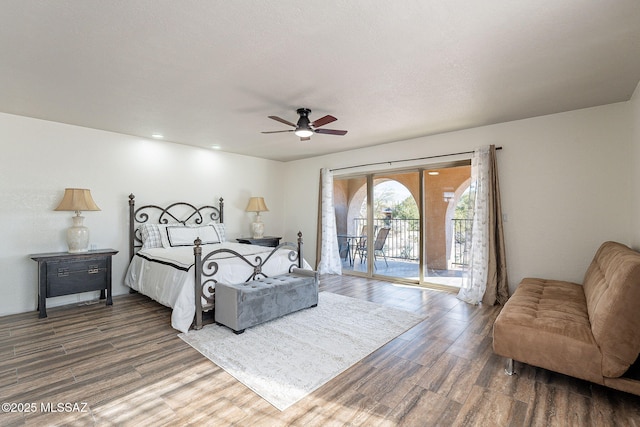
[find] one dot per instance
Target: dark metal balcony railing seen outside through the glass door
(403, 241)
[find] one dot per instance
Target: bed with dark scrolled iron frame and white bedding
(179, 252)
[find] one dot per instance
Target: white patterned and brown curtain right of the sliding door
(485, 280)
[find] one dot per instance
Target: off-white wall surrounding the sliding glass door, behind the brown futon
(565, 185)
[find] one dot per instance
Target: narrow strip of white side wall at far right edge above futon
(635, 176)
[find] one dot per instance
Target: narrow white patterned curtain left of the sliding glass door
(329, 256)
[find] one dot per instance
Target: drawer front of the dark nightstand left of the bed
(72, 276)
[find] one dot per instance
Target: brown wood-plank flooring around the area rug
(125, 366)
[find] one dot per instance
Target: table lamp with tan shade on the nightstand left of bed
(77, 200)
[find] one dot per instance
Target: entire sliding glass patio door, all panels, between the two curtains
(402, 224)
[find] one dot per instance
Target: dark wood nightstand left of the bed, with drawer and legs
(64, 273)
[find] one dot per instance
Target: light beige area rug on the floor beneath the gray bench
(286, 359)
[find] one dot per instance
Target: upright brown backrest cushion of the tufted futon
(612, 291)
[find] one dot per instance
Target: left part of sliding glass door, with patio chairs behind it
(378, 221)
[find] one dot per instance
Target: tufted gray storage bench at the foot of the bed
(243, 305)
